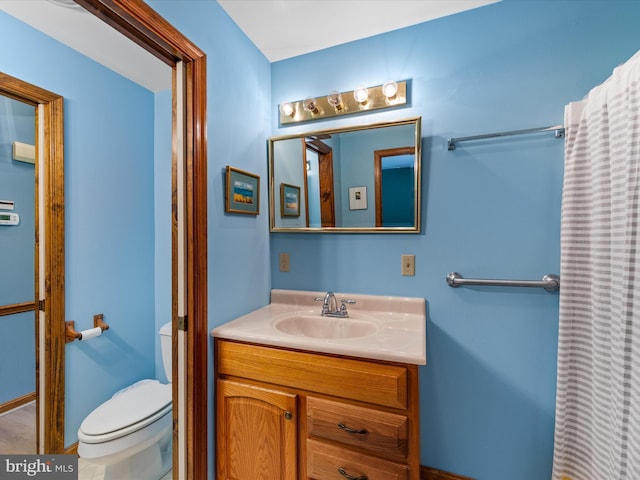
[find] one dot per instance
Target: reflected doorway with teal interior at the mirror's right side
(394, 172)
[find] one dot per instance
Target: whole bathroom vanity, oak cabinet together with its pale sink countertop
(297, 403)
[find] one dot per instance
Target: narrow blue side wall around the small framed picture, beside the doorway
(238, 117)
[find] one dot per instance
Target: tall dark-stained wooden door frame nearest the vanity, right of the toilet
(141, 24)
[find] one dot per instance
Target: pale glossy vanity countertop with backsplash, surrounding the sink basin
(400, 326)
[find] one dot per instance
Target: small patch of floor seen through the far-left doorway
(18, 430)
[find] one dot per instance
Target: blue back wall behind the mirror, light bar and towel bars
(490, 209)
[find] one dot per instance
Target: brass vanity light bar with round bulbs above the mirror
(361, 100)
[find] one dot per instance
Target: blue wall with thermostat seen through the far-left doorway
(17, 179)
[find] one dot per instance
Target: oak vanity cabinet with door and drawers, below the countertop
(288, 414)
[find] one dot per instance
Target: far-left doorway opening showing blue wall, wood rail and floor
(17, 317)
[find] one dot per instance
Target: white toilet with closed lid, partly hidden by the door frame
(131, 433)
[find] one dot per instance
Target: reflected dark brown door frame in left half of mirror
(324, 155)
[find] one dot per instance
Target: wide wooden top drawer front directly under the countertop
(377, 383)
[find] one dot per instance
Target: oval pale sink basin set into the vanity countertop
(325, 327)
